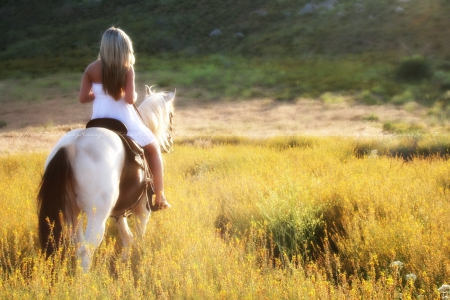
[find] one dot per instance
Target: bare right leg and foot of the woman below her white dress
(153, 155)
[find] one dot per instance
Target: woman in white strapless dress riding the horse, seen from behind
(109, 83)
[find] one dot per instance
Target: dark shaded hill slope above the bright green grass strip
(65, 28)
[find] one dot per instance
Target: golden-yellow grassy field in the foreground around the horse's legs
(298, 218)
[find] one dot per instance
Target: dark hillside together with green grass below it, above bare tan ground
(376, 51)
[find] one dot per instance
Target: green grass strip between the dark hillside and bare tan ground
(366, 79)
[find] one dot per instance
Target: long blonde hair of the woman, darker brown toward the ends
(117, 57)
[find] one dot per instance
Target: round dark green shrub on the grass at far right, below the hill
(413, 68)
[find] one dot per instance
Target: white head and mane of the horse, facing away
(157, 113)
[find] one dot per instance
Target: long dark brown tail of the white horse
(53, 197)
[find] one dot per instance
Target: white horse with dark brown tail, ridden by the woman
(81, 179)
